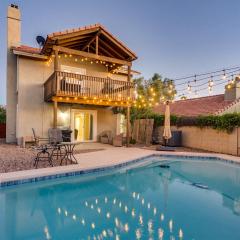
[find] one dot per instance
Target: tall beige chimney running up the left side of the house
(13, 39)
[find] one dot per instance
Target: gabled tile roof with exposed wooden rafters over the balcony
(92, 39)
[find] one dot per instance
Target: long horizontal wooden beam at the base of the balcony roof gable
(91, 55)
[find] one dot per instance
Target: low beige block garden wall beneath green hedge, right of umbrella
(209, 139)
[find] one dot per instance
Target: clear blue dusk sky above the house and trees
(174, 38)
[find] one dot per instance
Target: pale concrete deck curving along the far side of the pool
(106, 158)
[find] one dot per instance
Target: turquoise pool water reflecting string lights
(192, 199)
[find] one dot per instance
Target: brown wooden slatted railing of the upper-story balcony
(63, 84)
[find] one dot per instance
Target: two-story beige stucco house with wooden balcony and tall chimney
(72, 81)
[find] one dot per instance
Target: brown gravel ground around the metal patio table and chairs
(14, 158)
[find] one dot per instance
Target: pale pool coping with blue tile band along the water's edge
(36, 175)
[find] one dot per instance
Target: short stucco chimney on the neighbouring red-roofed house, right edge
(232, 90)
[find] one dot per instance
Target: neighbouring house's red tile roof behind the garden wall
(197, 106)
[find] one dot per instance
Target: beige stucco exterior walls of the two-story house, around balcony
(33, 112)
